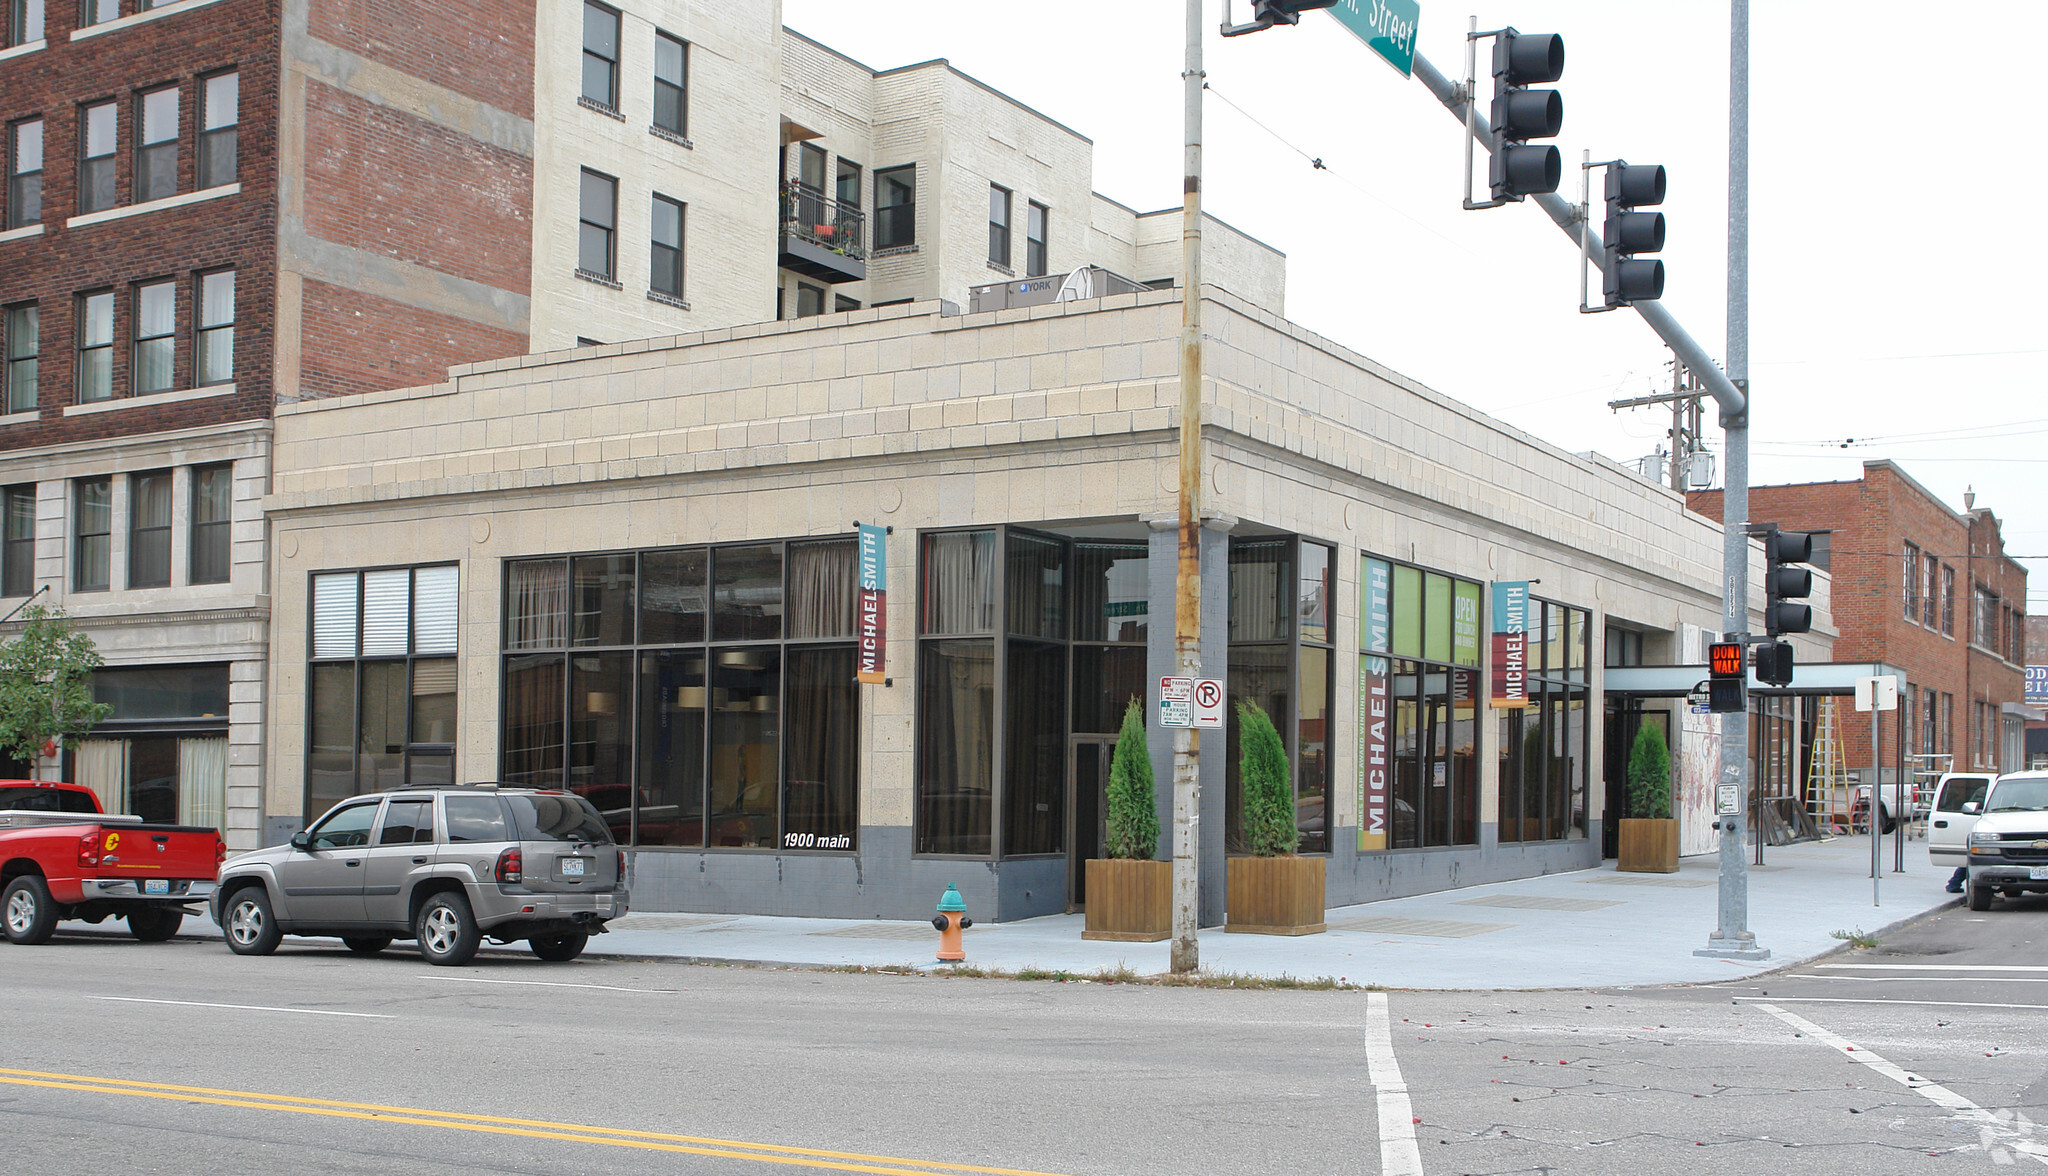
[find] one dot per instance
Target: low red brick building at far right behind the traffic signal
(1920, 587)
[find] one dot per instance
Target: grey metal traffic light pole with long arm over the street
(1732, 392)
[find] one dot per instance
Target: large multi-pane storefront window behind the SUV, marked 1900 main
(654, 685)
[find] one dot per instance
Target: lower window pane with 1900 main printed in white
(822, 749)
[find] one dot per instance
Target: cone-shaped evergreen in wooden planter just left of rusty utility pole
(1129, 894)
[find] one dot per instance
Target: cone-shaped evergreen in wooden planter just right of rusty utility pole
(1273, 890)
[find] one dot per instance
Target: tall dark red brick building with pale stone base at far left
(210, 208)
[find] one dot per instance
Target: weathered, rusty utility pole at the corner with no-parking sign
(1189, 571)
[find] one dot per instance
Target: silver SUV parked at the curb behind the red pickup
(445, 868)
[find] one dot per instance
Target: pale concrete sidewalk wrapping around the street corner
(1588, 929)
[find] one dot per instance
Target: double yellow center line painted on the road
(499, 1126)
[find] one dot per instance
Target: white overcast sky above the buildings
(1895, 276)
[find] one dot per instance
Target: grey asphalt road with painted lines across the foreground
(1918, 1056)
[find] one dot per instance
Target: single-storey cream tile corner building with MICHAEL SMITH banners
(632, 573)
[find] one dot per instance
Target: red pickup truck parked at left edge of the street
(62, 857)
